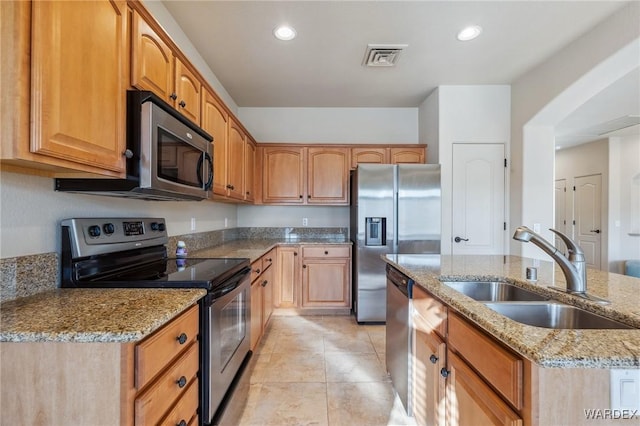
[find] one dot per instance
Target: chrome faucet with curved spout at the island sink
(573, 266)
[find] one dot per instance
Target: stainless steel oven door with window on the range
(226, 339)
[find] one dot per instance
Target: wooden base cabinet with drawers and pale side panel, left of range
(153, 381)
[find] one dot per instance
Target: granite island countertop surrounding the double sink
(543, 346)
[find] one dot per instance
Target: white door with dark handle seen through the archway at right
(587, 208)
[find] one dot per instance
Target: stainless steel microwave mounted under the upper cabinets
(168, 157)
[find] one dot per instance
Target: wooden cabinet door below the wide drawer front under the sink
(470, 401)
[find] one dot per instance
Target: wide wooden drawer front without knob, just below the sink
(501, 368)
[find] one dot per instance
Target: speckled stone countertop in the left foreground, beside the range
(92, 315)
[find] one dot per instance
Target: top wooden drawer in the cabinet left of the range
(154, 353)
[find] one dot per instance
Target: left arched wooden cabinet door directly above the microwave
(151, 60)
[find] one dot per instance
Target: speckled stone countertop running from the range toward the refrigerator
(254, 248)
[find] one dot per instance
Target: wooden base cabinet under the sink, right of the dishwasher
(461, 376)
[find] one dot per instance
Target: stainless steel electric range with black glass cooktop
(132, 253)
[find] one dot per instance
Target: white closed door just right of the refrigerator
(478, 199)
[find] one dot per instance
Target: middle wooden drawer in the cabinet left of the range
(153, 403)
